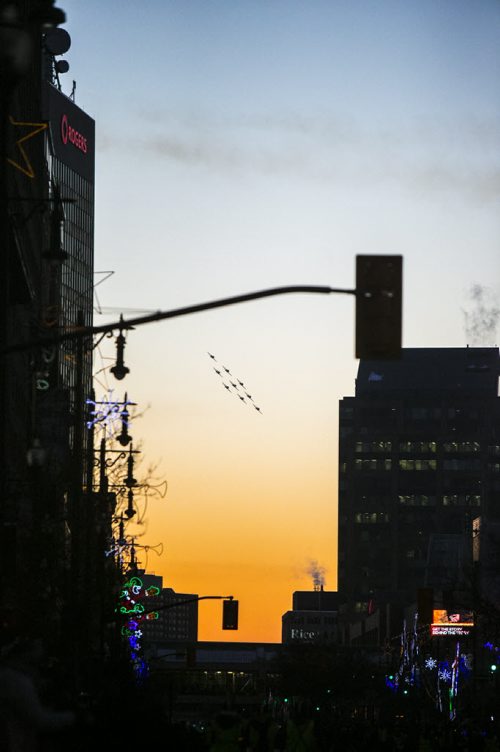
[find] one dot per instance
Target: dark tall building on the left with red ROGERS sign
(47, 238)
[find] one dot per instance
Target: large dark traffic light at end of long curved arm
(378, 307)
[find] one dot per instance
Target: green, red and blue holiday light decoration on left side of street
(131, 607)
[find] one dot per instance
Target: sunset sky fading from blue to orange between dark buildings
(244, 145)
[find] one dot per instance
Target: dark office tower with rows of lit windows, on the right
(419, 461)
